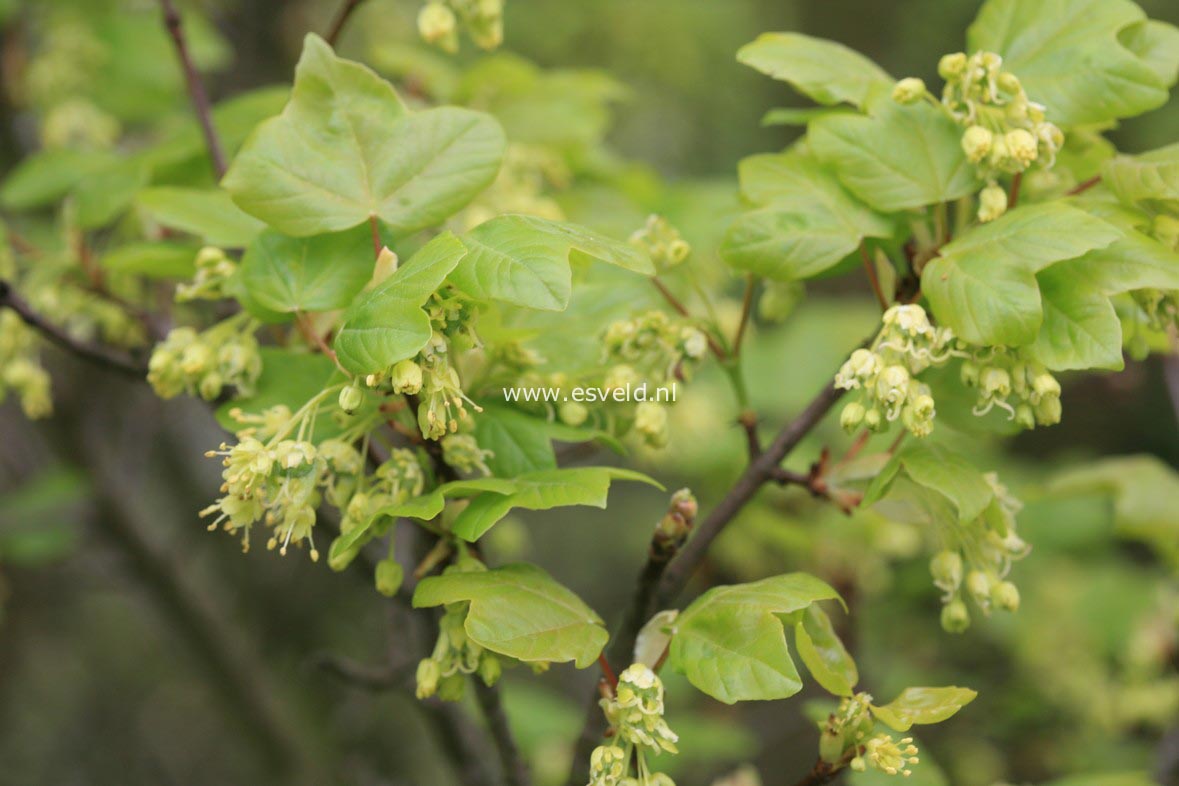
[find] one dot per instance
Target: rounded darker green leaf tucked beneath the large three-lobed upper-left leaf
(315, 274)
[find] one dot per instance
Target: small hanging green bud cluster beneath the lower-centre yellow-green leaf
(456, 655)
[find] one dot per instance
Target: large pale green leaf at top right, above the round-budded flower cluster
(1069, 57)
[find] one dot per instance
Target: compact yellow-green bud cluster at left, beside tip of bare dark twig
(205, 364)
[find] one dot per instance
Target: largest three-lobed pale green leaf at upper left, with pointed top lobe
(346, 150)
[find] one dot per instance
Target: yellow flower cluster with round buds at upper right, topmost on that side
(1005, 133)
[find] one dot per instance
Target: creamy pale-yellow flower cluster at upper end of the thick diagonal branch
(886, 373)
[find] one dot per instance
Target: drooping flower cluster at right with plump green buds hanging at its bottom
(977, 560)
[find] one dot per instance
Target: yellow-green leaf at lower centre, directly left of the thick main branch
(519, 611)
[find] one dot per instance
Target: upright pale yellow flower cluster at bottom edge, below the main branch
(636, 715)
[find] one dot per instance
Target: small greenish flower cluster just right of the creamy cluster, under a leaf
(1025, 389)
